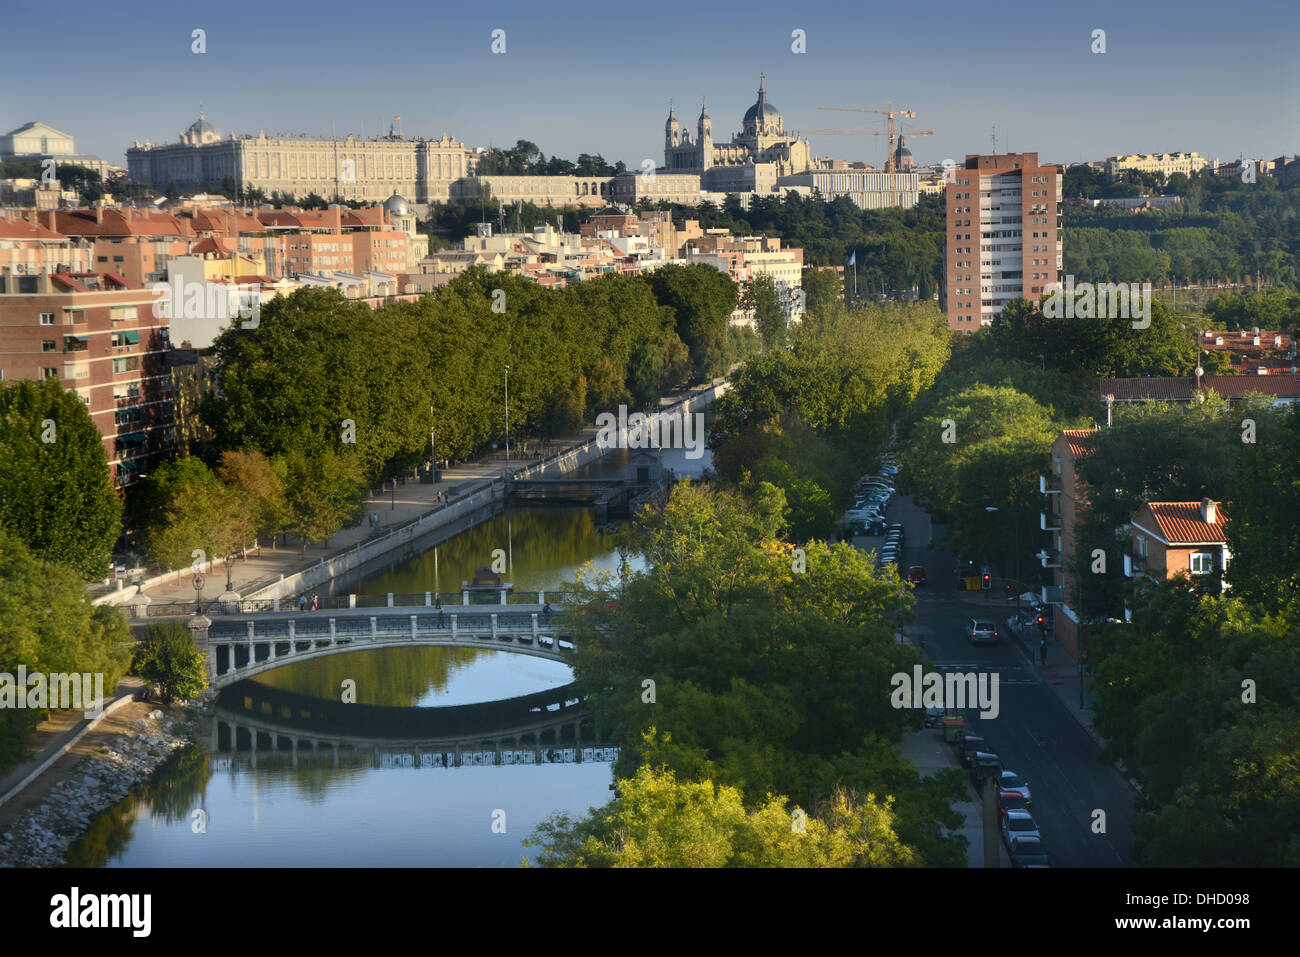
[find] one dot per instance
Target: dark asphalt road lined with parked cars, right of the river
(1034, 734)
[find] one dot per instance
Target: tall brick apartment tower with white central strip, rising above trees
(1004, 236)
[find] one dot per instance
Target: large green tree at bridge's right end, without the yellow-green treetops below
(740, 634)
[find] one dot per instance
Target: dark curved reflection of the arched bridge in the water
(257, 726)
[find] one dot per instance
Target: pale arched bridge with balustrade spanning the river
(240, 647)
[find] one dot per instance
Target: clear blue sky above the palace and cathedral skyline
(1221, 79)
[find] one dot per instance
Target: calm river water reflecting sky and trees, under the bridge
(378, 804)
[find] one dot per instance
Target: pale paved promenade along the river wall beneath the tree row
(408, 504)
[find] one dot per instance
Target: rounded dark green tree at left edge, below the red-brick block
(55, 487)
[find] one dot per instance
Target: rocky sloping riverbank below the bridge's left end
(42, 835)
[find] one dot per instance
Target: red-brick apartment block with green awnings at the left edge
(99, 336)
